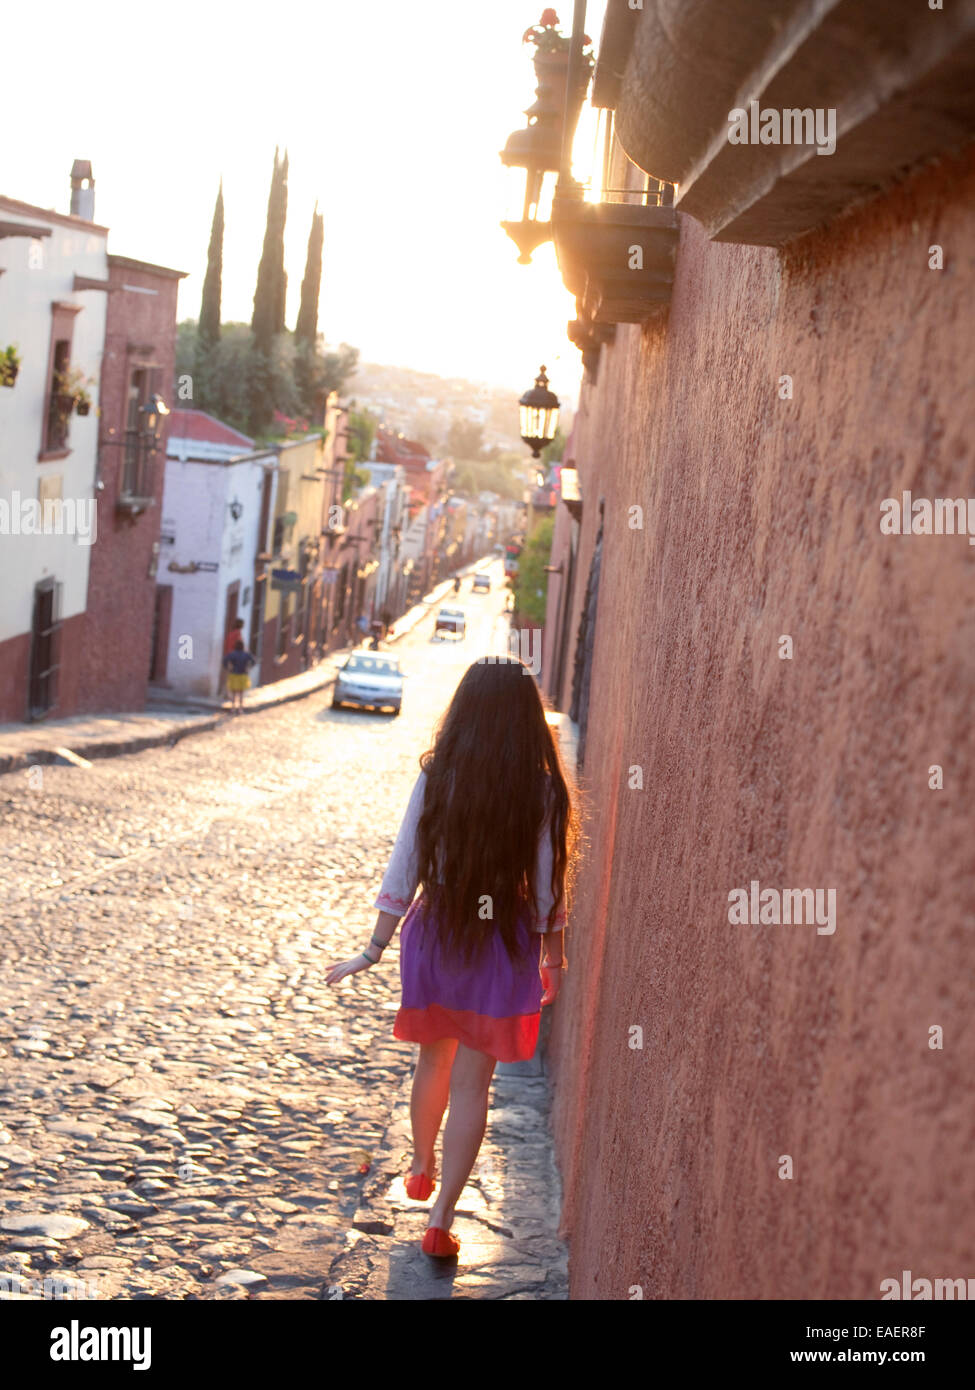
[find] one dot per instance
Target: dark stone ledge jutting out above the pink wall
(896, 74)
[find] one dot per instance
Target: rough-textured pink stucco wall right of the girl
(762, 518)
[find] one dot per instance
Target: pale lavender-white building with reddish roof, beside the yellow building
(218, 505)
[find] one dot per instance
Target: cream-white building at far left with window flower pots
(54, 275)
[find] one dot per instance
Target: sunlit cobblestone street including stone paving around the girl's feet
(188, 1113)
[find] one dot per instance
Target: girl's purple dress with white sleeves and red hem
(492, 1006)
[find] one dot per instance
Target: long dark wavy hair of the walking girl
(494, 775)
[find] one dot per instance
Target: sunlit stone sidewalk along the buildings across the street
(87, 737)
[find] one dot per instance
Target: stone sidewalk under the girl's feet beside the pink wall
(507, 1220)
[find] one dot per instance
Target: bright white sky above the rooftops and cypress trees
(393, 116)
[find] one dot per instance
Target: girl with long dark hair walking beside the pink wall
(487, 839)
